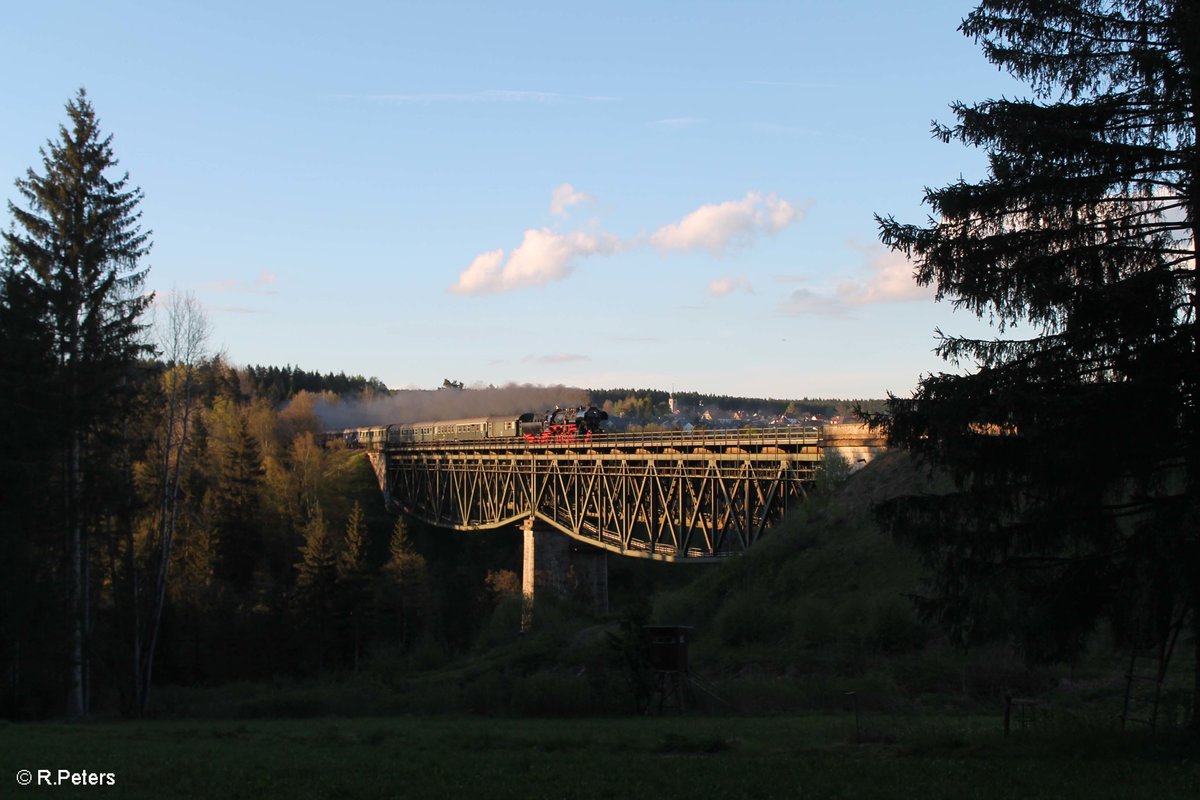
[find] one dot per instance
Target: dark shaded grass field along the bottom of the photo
(635, 757)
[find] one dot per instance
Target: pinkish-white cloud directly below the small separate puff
(544, 256)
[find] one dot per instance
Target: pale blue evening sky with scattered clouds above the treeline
(622, 195)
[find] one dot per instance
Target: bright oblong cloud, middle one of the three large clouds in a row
(719, 226)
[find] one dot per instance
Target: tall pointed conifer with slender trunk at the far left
(81, 242)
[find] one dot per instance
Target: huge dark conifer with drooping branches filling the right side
(1076, 442)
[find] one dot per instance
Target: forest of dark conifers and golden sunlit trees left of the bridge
(167, 518)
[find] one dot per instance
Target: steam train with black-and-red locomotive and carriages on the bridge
(561, 425)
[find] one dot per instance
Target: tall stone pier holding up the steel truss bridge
(554, 563)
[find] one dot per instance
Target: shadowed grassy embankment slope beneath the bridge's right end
(826, 579)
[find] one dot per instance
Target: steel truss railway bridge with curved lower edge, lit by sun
(663, 496)
